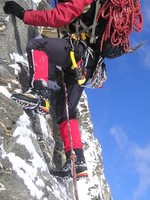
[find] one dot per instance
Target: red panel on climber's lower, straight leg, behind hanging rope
(75, 134)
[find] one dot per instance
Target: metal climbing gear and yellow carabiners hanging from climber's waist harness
(80, 67)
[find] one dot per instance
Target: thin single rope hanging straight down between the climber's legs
(72, 157)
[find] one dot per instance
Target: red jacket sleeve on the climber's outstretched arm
(62, 15)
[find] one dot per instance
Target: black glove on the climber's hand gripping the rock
(12, 7)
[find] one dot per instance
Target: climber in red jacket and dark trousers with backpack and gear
(93, 33)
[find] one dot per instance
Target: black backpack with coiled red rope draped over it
(109, 24)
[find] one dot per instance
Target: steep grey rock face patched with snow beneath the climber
(30, 144)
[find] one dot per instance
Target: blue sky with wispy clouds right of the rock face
(120, 112)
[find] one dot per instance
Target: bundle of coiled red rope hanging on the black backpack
(123, 16)
